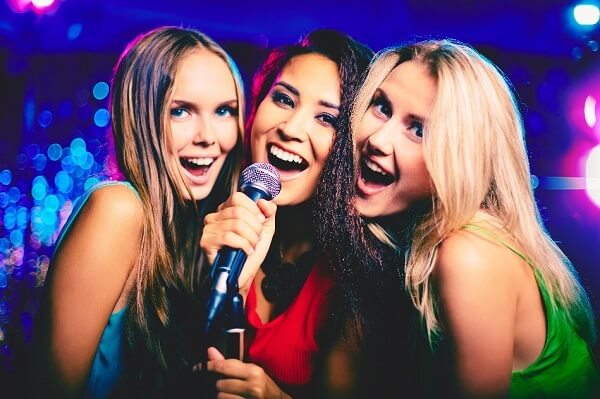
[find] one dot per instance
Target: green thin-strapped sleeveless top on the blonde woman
(565, 368)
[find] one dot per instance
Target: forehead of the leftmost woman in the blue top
(203, 70)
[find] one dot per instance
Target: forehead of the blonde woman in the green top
(411, 84)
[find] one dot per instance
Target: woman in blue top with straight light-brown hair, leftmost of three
(124, 285)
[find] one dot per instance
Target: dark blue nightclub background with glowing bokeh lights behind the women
(55, 64)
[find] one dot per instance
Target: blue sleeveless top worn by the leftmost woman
(107, 366)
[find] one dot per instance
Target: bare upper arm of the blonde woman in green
(478, 300)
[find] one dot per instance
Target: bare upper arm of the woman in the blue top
(88, 274)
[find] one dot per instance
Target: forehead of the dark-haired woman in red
(313, 74)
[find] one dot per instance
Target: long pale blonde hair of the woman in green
(474, 150)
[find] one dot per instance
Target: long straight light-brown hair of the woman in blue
(141, 91)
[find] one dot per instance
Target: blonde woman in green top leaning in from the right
(443, 176)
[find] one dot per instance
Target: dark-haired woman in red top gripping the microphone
(301, 95)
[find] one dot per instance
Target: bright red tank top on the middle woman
(287, 346)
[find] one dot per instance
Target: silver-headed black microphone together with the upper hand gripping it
(241, 228)
